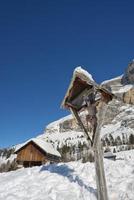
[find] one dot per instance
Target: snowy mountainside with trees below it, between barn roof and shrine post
(66, 136)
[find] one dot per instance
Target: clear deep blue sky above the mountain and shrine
(41, 42)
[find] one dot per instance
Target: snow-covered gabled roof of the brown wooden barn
(45, 146)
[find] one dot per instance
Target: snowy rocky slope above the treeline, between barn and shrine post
(64, 131)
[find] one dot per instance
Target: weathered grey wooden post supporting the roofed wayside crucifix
(98, 156)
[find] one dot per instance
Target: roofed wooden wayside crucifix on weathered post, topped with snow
(84, 95)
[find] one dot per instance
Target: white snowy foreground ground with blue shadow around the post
(73, 181)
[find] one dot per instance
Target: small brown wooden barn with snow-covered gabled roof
(36, 152)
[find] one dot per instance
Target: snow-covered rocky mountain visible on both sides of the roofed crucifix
(118, 122)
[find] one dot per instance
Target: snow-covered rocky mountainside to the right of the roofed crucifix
(119, 117)
